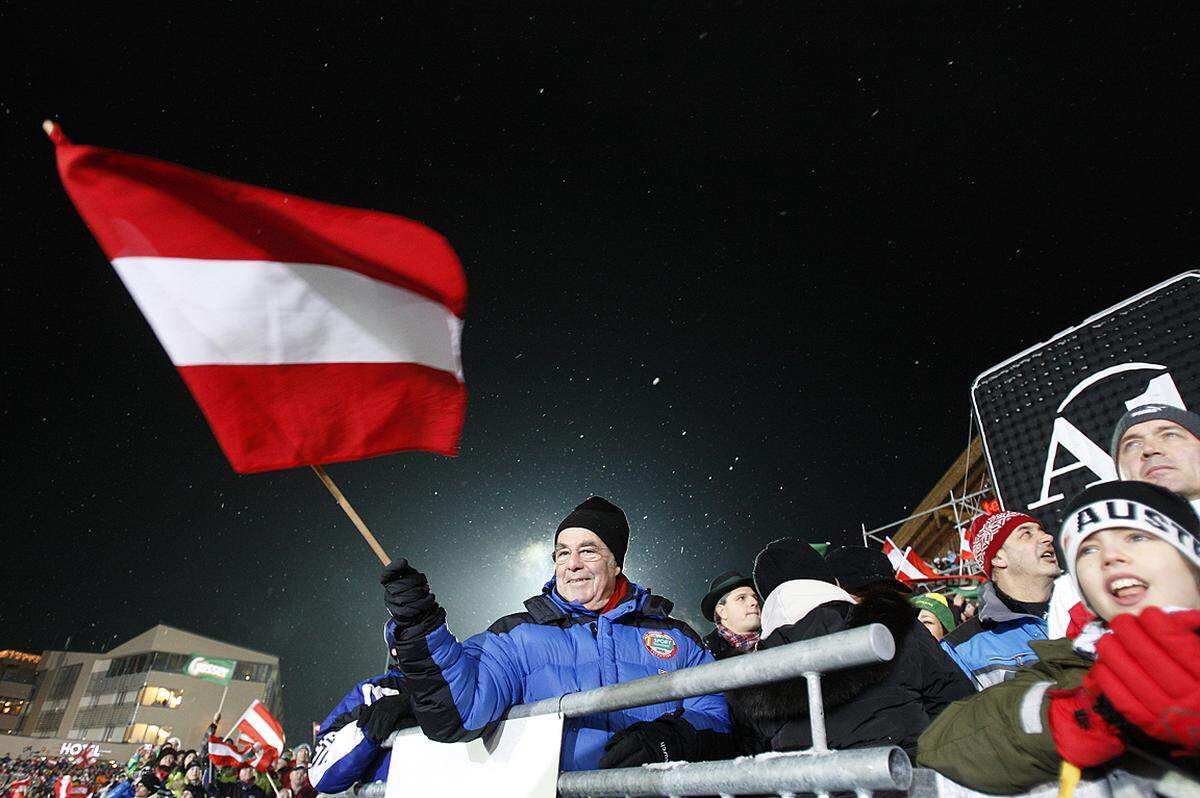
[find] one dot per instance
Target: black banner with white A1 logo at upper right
(1048, 415)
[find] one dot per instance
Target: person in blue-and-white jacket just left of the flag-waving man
(350, 742)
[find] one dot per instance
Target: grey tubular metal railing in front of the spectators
(815, 771)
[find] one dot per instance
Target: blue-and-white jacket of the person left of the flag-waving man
(344, 754)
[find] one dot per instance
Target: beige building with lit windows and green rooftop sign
(164, 683)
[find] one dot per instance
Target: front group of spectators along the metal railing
(980, 688)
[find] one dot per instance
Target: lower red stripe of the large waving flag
(263, 416)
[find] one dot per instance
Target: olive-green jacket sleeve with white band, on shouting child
(998, 741)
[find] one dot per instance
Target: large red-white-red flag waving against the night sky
(308, 333)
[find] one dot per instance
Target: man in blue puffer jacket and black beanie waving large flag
(590, 627)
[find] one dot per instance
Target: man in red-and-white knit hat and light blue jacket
(1017, 555)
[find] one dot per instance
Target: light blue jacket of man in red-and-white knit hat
(992, 646)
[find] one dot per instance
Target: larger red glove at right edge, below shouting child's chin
(1149, 669)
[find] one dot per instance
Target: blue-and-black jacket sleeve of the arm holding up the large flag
(459, 689)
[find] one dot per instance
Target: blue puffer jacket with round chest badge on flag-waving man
(554, 649)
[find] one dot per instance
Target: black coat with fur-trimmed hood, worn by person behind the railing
(783, 701)
